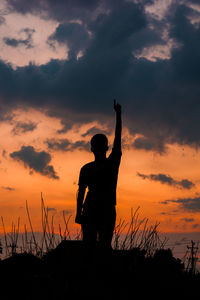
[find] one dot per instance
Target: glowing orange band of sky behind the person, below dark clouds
(133, 191)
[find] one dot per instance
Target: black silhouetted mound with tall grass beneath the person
(59, 267)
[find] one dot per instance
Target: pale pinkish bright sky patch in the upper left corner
(40, 52)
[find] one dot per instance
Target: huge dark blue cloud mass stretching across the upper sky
(160, 99)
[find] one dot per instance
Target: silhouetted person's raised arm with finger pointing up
(118, 128)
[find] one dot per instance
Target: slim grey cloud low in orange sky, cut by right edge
(187, 204)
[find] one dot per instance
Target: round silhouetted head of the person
(99, 144)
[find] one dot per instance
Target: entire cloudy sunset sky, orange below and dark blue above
(61, 64)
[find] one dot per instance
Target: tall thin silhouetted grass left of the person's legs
(24, 241)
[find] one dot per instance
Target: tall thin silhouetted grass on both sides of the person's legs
(127, 235)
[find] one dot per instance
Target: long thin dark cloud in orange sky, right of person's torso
(166, 179)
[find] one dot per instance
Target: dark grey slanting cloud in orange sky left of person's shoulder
(35, 160)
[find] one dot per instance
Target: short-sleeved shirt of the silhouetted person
(101, 180)
